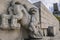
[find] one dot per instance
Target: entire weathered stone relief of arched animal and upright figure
(18, 16)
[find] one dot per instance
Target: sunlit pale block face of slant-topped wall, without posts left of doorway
(48, 19)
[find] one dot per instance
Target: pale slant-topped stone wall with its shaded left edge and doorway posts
(47, 19)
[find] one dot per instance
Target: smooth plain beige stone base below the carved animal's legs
(9, 35)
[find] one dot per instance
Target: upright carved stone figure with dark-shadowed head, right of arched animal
(34, 32)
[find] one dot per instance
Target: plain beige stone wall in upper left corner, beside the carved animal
(4, 5)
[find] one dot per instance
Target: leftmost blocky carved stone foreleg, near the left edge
(5, 24)
